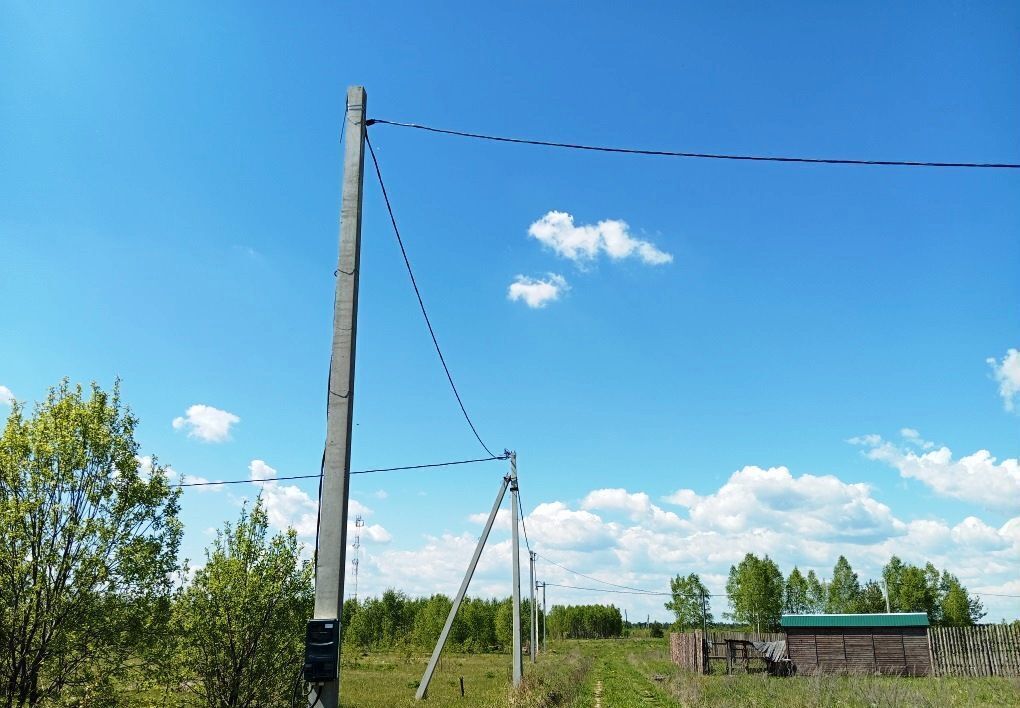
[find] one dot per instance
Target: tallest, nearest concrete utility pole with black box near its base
(332, 558)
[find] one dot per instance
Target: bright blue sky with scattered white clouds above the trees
(169, 207)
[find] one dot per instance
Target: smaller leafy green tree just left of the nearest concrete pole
(239, 626)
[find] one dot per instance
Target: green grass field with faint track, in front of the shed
(623, 674)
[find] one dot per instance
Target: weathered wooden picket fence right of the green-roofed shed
(986, 650)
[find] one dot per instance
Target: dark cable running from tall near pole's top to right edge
(704, 156)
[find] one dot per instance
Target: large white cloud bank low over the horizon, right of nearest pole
(620, 536)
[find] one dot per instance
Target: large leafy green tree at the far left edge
(88, 547)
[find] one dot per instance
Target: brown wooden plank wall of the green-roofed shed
(860, 650)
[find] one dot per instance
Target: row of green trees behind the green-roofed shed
(759, 595)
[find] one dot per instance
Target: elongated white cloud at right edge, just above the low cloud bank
(978, 478)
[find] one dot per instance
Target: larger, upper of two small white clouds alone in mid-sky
(585, 243)
